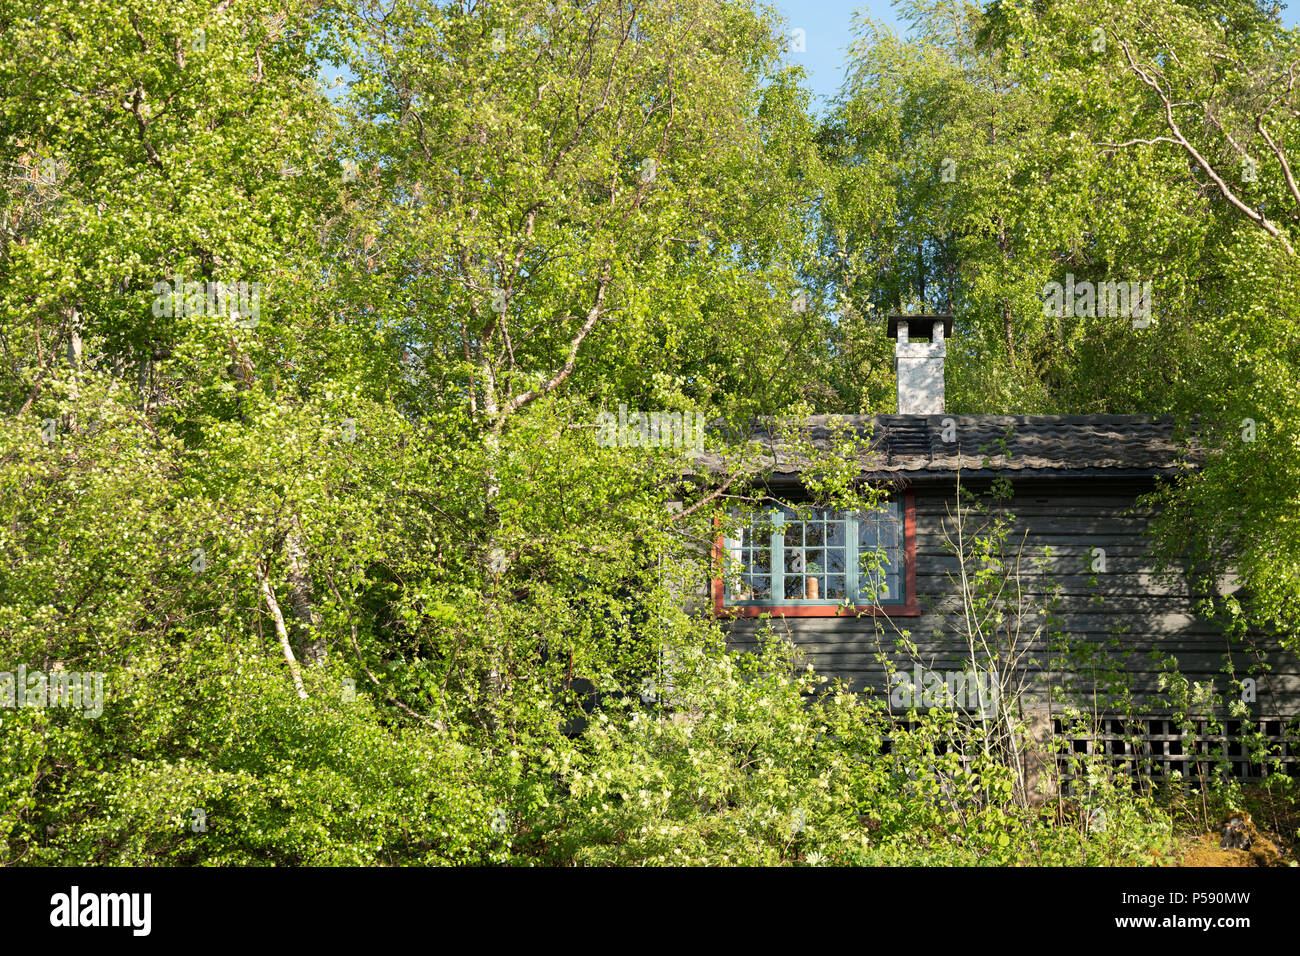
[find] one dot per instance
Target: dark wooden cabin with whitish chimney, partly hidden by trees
(1086, 608)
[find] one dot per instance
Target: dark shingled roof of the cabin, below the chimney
(913, 447)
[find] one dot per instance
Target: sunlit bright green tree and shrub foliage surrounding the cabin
(361, 581)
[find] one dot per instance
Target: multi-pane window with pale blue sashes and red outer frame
(809, 561)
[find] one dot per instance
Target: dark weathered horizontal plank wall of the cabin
(1129, 603)
